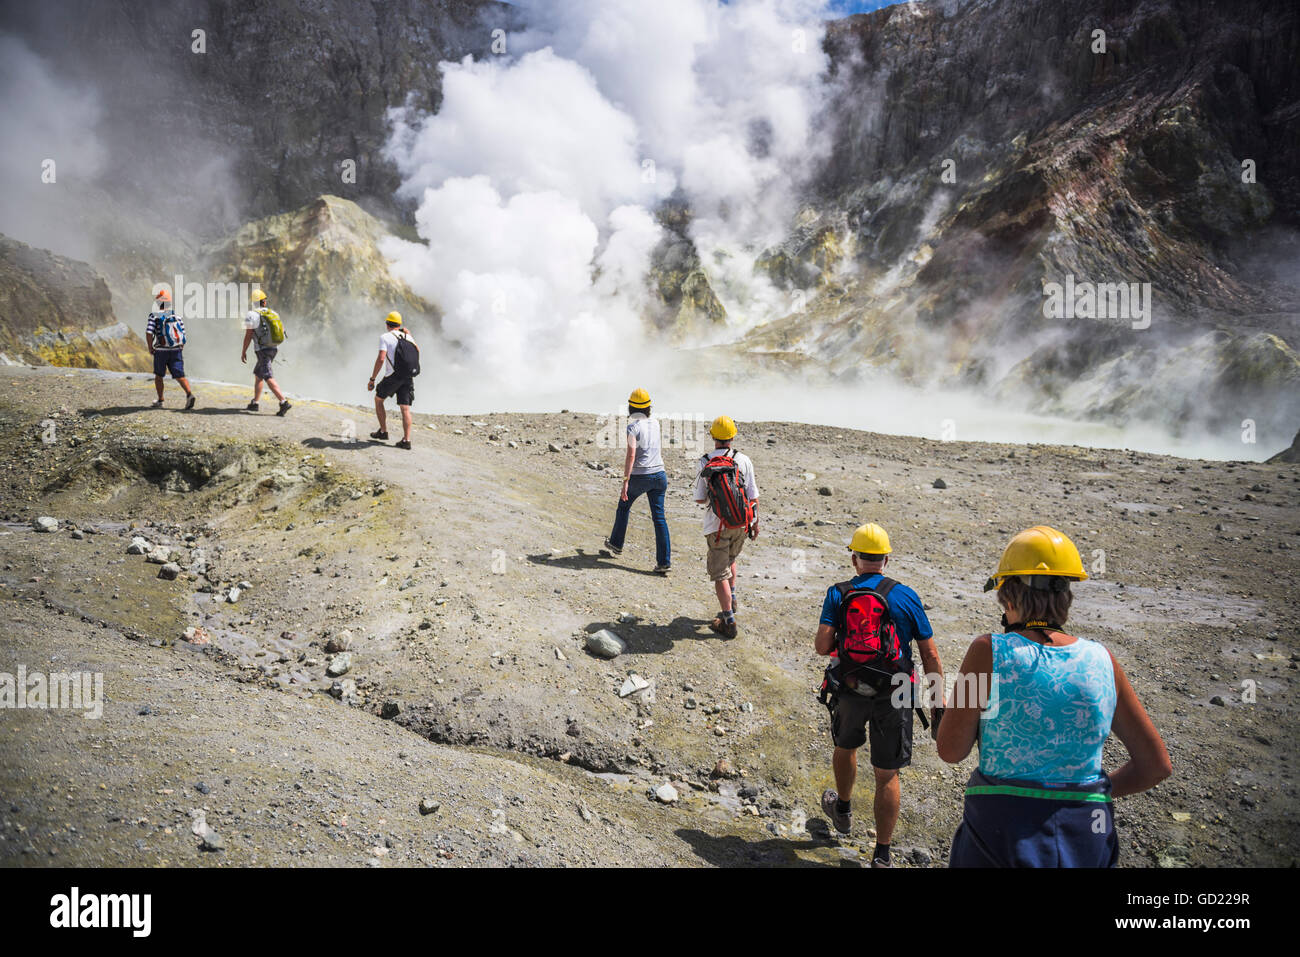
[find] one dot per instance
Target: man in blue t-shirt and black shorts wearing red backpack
(869, 625)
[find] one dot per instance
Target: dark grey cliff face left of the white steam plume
(266, 116)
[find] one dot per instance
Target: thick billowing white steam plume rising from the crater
(539, 177)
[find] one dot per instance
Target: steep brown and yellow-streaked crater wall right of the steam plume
(985, 150)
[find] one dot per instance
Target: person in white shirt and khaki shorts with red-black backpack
(726, 484)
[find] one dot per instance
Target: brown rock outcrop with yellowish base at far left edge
(59, 311)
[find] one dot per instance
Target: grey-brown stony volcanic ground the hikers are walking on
(467, 577)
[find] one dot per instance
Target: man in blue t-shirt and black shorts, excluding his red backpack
(855, 709)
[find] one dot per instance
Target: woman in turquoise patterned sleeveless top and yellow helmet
(1041, 704)
